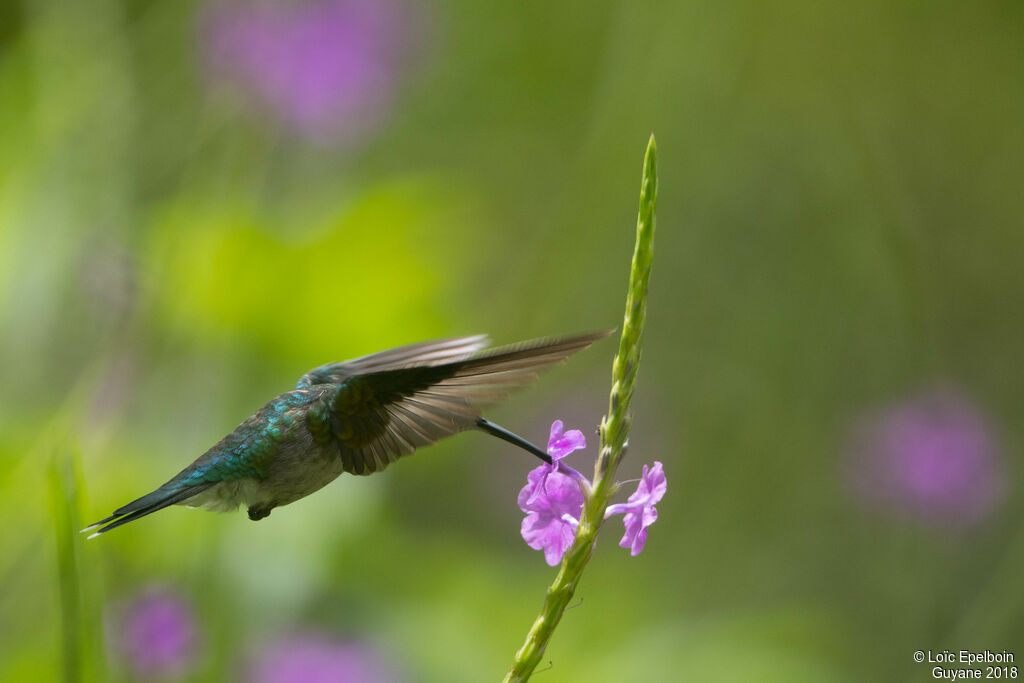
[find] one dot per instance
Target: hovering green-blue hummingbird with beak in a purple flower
(358, 417)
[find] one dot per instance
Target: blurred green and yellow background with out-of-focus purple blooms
(199, 202)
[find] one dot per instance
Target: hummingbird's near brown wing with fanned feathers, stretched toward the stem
(409, 403)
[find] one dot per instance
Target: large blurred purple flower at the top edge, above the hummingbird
(326, 68)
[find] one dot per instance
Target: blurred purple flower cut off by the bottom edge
(317, 658)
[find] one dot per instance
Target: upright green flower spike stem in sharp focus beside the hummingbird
(615, 431)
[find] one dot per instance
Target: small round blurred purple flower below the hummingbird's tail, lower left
(156, 633)
